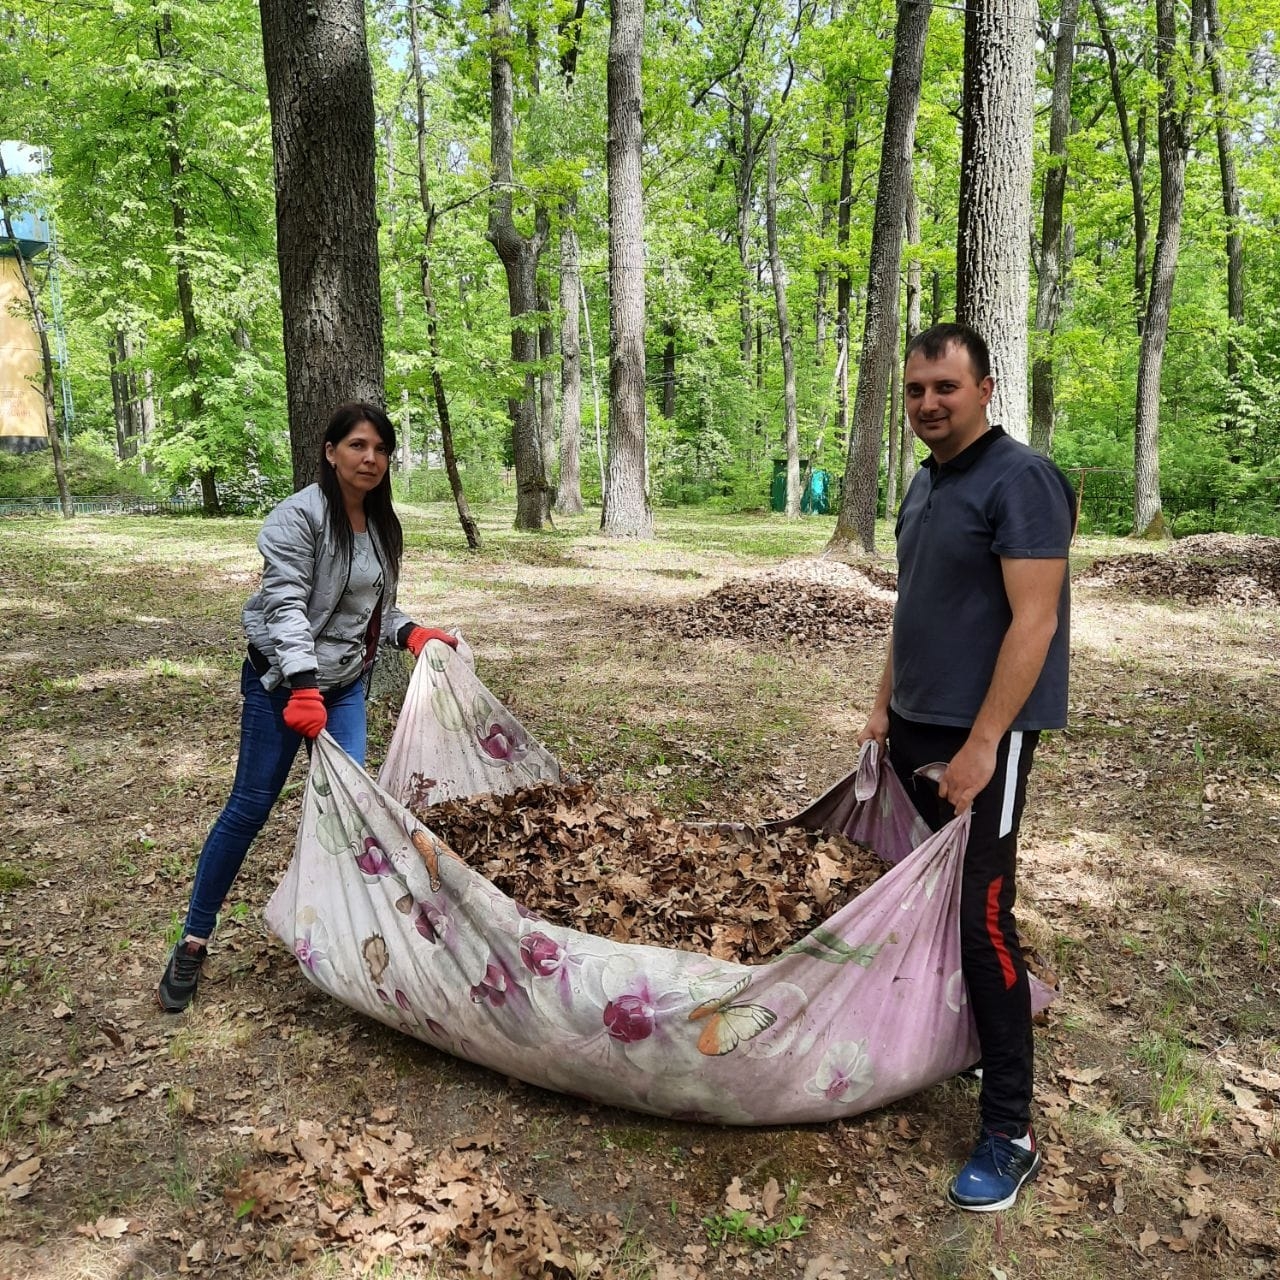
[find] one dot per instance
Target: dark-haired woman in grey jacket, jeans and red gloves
(331, 560)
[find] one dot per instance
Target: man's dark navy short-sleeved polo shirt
(996, 499)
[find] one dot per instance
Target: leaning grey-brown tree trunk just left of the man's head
(880, 333)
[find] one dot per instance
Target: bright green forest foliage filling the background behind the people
(162, 281)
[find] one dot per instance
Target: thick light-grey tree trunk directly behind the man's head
(994, 241)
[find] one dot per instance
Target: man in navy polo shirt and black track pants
(977, 668)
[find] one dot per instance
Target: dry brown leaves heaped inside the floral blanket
(623, 871)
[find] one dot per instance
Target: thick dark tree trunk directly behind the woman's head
(322, 97)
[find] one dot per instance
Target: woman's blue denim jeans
(268, 748)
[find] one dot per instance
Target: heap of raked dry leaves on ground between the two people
(807, 602)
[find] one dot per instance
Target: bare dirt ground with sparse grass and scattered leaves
(273, 1132)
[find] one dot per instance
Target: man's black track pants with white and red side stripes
(993, 962)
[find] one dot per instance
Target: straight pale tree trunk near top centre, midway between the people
(627, 506)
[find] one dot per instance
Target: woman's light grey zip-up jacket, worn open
(305, 575)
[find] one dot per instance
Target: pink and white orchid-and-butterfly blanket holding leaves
(866, 1009)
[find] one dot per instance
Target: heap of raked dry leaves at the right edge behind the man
(1209, 569)
